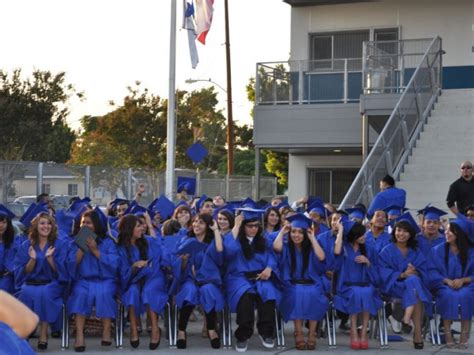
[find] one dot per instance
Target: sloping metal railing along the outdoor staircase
(393, 146)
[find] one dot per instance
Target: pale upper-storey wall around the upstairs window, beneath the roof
(452, 20)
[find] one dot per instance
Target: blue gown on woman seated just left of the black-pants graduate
(200, 282)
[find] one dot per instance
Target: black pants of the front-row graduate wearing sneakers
(246, 317)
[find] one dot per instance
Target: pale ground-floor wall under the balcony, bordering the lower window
(298, 166)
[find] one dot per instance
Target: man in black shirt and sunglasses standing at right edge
(461, 192)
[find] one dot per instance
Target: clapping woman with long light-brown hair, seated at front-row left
(39, 269)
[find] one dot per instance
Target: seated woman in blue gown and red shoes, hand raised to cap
(356, 292)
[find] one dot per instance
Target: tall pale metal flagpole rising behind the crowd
(171, 124)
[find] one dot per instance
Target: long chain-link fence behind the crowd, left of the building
(22, 181)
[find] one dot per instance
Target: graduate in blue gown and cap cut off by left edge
(7, 249)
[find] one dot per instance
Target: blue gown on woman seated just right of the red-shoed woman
(392, 263)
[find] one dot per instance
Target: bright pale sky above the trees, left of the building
(106, 45)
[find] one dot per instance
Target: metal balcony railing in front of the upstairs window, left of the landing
(309, 81)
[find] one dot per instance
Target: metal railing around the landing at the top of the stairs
(388, 65)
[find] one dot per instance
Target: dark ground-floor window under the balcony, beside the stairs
(330, 184)
